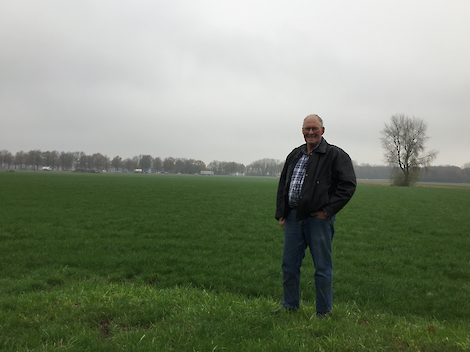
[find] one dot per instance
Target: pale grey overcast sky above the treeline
(231, 80)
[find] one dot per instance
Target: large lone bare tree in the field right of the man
(403, 140)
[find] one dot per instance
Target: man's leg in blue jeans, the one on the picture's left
(292, 256)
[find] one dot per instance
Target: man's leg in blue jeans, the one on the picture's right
(319, 235)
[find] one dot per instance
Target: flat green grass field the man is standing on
(107, 262)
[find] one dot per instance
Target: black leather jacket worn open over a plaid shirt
(328, 185)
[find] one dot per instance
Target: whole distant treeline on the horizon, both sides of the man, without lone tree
(79, 161)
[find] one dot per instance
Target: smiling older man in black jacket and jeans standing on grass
(316, 182)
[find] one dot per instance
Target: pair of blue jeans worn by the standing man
(317, 234)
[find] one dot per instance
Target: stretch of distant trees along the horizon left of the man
(72, 161)
